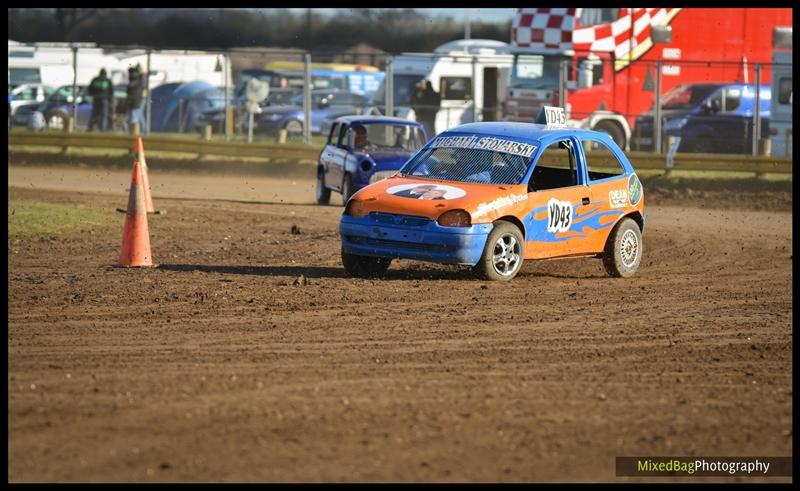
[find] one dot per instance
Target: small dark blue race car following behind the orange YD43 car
(362, 150)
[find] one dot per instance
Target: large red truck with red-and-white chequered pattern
(610, 58)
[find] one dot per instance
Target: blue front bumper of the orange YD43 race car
(400, 236)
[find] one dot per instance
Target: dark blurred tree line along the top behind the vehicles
(393, 31)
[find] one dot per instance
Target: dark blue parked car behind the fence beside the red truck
(706, 118)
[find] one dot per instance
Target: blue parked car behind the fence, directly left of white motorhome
(324, 103)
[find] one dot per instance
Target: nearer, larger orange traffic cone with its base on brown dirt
(136, 239)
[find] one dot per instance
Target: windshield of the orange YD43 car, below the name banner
(468, 165)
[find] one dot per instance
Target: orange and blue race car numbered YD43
(490, 195)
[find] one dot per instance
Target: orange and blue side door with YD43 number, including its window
(559, 199)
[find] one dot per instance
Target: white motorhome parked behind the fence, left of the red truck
(469, 75)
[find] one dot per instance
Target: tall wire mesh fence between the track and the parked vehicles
(705, 106)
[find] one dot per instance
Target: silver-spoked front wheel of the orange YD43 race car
(503, 253)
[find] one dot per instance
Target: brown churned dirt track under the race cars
(216, 366)
